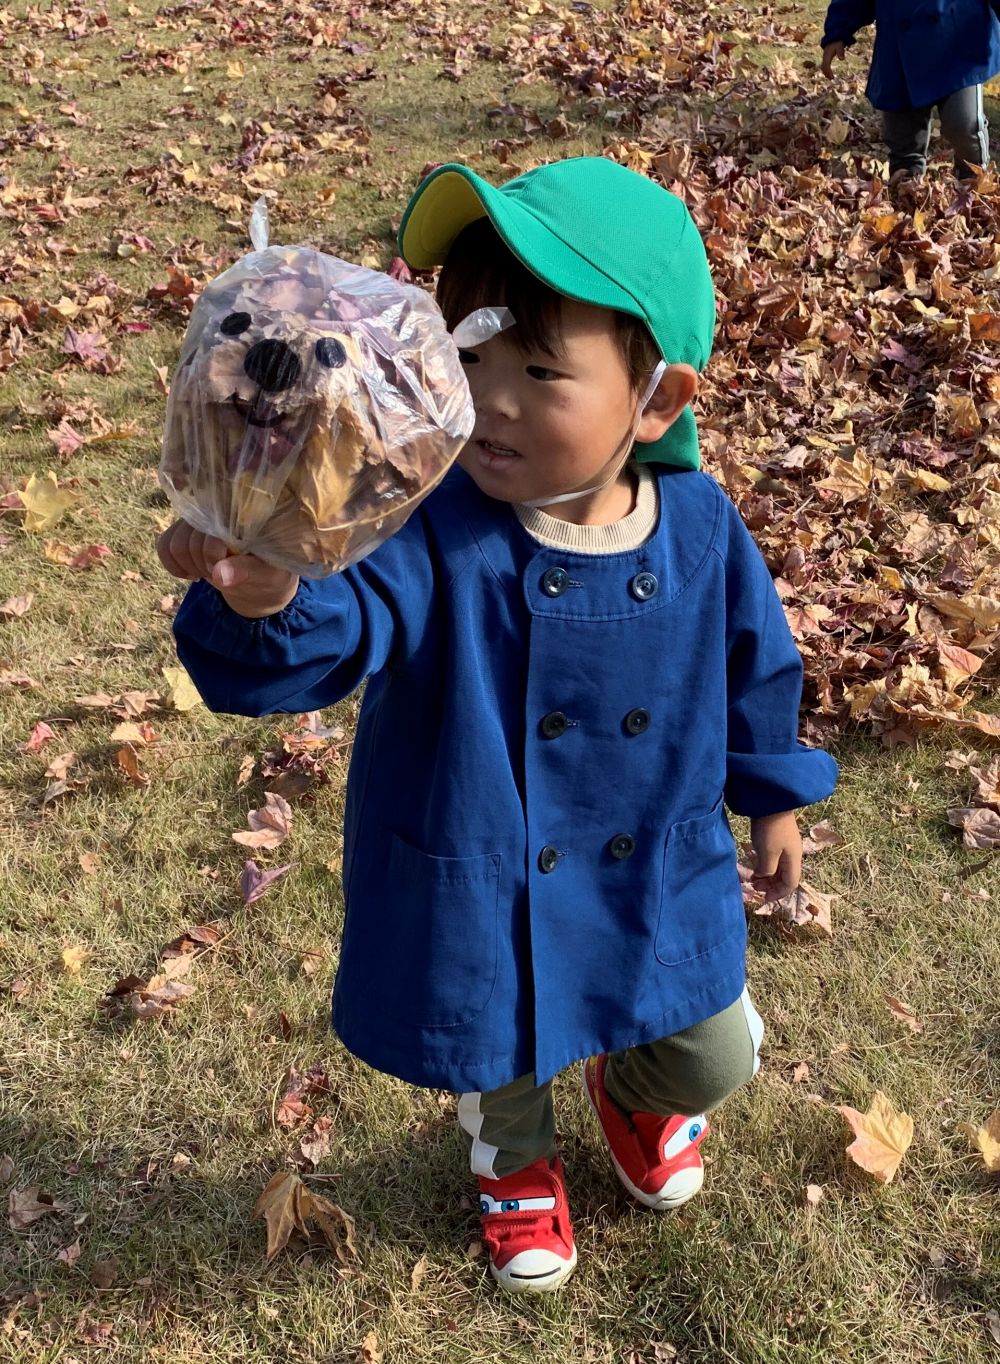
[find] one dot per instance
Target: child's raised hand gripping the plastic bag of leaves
(250, 587)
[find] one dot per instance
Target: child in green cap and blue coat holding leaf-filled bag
(572, 661)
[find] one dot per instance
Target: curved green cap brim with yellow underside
(454, 197)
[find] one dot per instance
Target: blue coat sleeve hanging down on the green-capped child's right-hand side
(767, 770)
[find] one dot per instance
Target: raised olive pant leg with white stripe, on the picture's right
(692, 1071)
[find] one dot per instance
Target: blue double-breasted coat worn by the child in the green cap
(537, 860)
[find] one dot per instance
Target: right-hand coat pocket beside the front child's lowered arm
(702, 904)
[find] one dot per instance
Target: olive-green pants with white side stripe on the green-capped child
(690, 1073)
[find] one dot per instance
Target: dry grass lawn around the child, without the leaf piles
(159, 1136)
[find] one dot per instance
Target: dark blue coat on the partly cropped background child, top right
(924, 50)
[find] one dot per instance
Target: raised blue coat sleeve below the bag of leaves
(334, 635)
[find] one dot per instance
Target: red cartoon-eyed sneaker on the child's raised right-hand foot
(657, 1159)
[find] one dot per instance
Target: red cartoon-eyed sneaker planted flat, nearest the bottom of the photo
(527, 1228)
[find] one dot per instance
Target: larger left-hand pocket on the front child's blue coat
(428, 951)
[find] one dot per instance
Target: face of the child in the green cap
(549, 425)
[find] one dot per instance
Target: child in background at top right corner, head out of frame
(927, 54)
